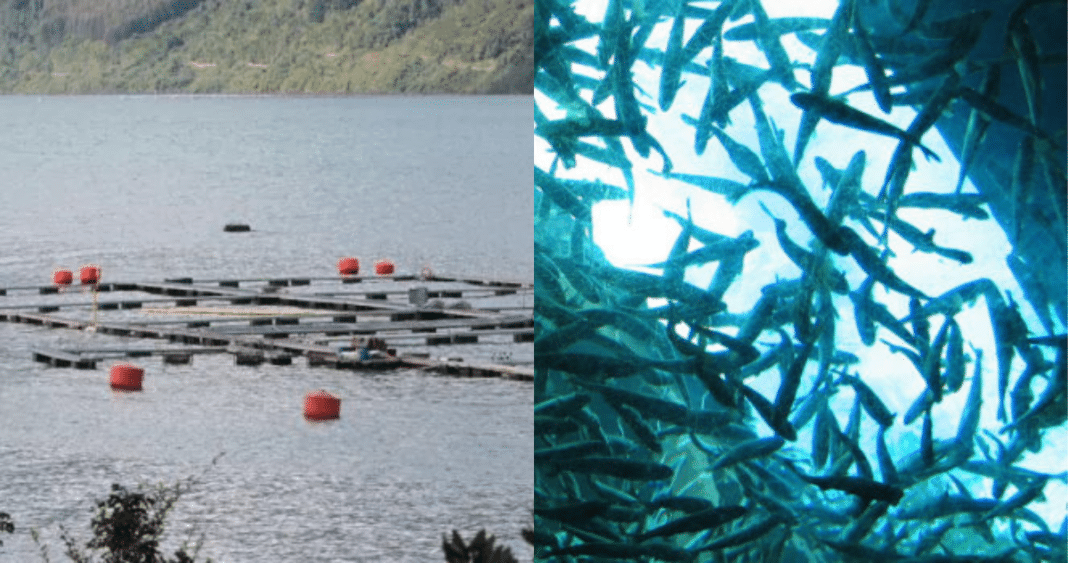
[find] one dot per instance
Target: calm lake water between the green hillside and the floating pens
(145, 185)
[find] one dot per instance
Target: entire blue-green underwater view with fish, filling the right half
(800, 280)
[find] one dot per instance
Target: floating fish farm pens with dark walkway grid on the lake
(276, 321)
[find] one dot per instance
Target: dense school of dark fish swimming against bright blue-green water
(653, 440)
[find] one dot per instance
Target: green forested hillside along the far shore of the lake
(268, 46)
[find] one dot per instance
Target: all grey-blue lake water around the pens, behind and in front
(143, 186)
